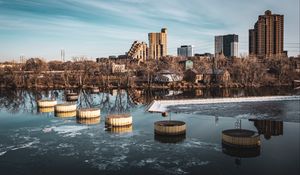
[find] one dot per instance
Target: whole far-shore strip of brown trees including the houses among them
(166, 73)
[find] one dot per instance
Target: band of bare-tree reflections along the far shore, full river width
(120, 100)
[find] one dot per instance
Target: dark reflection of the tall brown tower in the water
(268, 128)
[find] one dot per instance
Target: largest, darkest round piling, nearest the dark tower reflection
(240, 138)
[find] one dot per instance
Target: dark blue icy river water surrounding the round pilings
(33, 142)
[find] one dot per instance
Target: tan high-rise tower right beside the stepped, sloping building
(158, 44)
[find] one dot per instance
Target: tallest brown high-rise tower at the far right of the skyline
(266, 39)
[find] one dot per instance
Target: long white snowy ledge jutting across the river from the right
(162, 105)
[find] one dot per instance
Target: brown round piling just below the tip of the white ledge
(170, 127)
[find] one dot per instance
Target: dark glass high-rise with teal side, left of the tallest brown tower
(227, 45)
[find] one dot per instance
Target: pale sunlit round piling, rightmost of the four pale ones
(116, 120)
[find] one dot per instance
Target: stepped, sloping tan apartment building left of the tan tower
(138, 51)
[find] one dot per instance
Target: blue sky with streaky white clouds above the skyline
(96, 28)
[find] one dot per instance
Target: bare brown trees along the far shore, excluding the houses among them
(246, 71)
